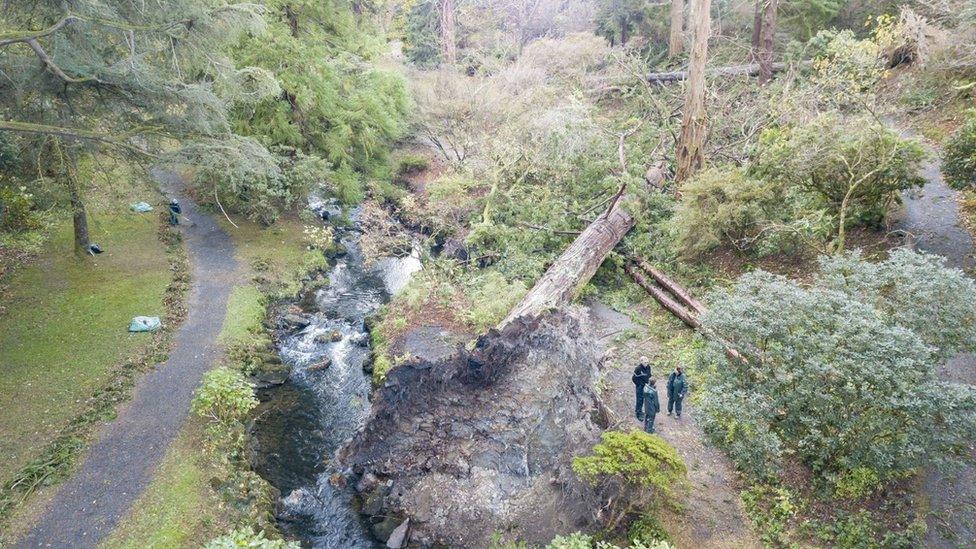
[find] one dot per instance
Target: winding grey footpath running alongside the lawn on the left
(125, 455)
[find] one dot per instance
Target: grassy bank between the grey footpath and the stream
(190, 501)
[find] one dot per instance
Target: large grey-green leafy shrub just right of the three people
(836, 373)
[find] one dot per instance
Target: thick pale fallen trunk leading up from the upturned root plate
(579, 262)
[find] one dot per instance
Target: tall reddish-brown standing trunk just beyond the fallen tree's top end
(689, 151)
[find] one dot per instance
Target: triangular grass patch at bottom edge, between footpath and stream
(178, 509)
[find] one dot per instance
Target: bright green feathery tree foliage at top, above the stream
(334, 103)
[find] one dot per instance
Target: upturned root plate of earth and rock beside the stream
(481, 441)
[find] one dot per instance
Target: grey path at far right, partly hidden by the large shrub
(932, 220)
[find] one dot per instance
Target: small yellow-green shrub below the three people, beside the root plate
(636, 458)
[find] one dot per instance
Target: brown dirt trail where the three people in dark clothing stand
(713, 516)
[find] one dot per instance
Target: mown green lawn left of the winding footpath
(65, 324)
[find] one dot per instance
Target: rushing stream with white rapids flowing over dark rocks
(317, 410)
